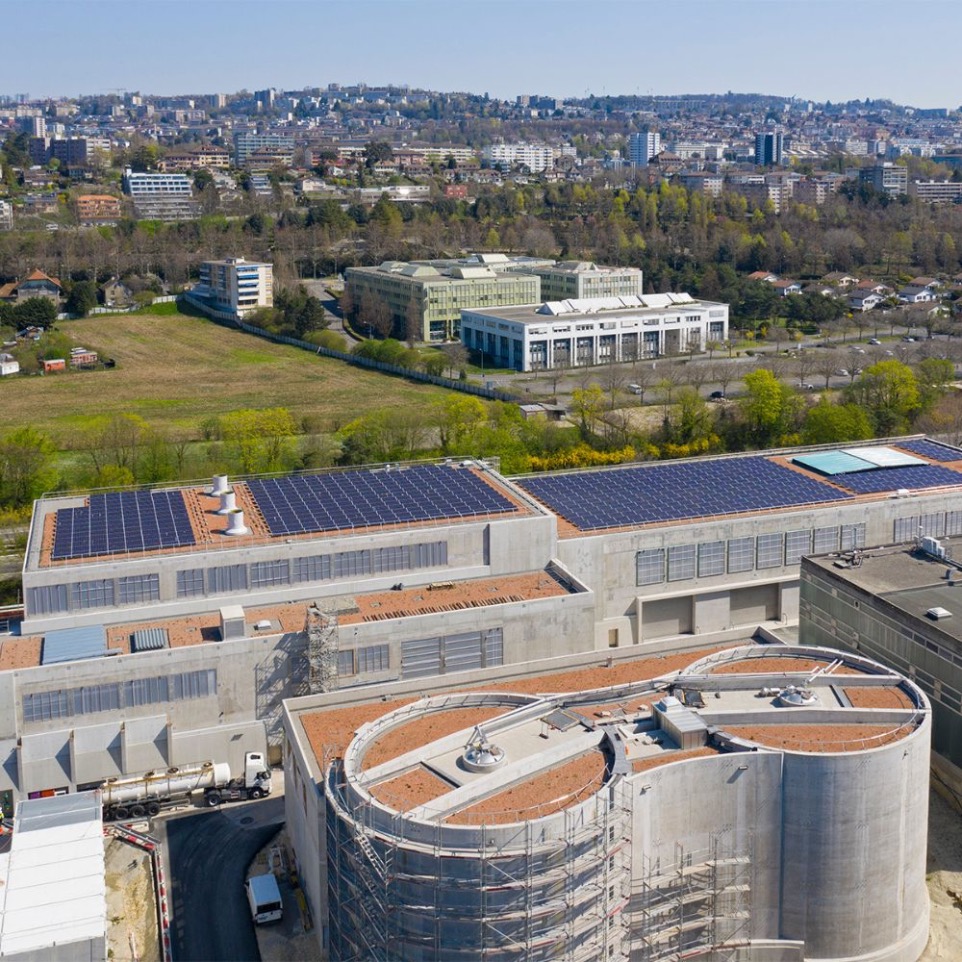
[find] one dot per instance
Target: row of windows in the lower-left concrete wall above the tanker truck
(91, 699)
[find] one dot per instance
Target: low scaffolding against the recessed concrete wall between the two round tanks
(702, 900)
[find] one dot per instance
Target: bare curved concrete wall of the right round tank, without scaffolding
(854, 847)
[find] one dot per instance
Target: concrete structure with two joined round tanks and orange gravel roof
(732, 807)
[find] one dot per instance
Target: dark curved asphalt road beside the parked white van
(207, 854)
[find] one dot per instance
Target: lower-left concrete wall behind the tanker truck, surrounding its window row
(254, 675)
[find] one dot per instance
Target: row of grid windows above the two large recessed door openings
(712, 558)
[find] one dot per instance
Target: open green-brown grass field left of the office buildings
(178, 371)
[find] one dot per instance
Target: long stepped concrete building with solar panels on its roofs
(160, 665)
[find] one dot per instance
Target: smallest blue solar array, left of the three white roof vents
(122, 522)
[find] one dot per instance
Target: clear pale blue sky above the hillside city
(813, 49)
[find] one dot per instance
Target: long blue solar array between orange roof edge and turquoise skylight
(675, 491)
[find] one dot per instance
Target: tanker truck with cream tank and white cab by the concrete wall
(139, 795)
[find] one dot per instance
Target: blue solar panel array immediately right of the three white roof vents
(361, 499)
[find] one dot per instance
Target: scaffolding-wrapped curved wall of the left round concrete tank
(514, 893)
